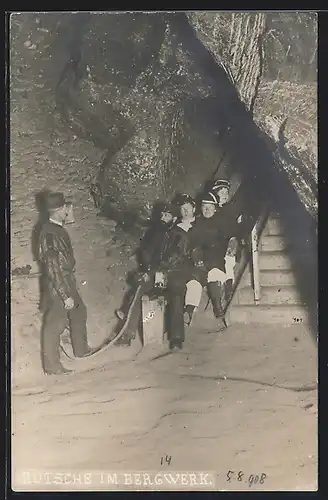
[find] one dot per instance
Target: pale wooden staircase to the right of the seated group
(278, 299)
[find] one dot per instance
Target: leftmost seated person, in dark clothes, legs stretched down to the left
(149, 256)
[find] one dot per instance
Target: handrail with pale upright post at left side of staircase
(250, 253)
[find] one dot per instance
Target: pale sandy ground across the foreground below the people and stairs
(128, 410)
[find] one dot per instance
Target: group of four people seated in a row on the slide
(190, 245)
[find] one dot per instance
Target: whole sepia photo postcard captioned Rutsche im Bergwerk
(163, 267)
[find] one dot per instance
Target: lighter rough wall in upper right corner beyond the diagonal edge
(272, 59)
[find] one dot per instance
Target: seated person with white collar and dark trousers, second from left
(178, 268)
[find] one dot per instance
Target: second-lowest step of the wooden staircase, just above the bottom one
(270, 295)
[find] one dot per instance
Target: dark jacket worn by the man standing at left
(57, 260)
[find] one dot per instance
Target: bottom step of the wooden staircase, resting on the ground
(263, 314)
